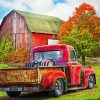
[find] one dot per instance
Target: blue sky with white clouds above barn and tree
(62, 9)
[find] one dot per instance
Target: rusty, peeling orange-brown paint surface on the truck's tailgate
(13, 76)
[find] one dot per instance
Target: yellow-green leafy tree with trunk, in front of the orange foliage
(83, 43)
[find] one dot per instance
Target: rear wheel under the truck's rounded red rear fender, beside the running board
(58, 88)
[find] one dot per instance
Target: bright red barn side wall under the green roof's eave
(39, 39)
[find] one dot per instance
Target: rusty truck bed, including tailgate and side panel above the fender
(24, 75)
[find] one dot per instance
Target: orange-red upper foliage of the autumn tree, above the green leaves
(84, 17)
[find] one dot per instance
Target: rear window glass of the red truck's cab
(53, 55)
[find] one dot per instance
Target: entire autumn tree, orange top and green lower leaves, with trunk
(82, 30)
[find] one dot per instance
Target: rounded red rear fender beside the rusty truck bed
(49, 78)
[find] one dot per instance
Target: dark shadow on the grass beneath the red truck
(34, 96)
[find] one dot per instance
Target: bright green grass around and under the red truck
(88, 94)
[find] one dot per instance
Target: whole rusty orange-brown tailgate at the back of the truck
(18, 76)
